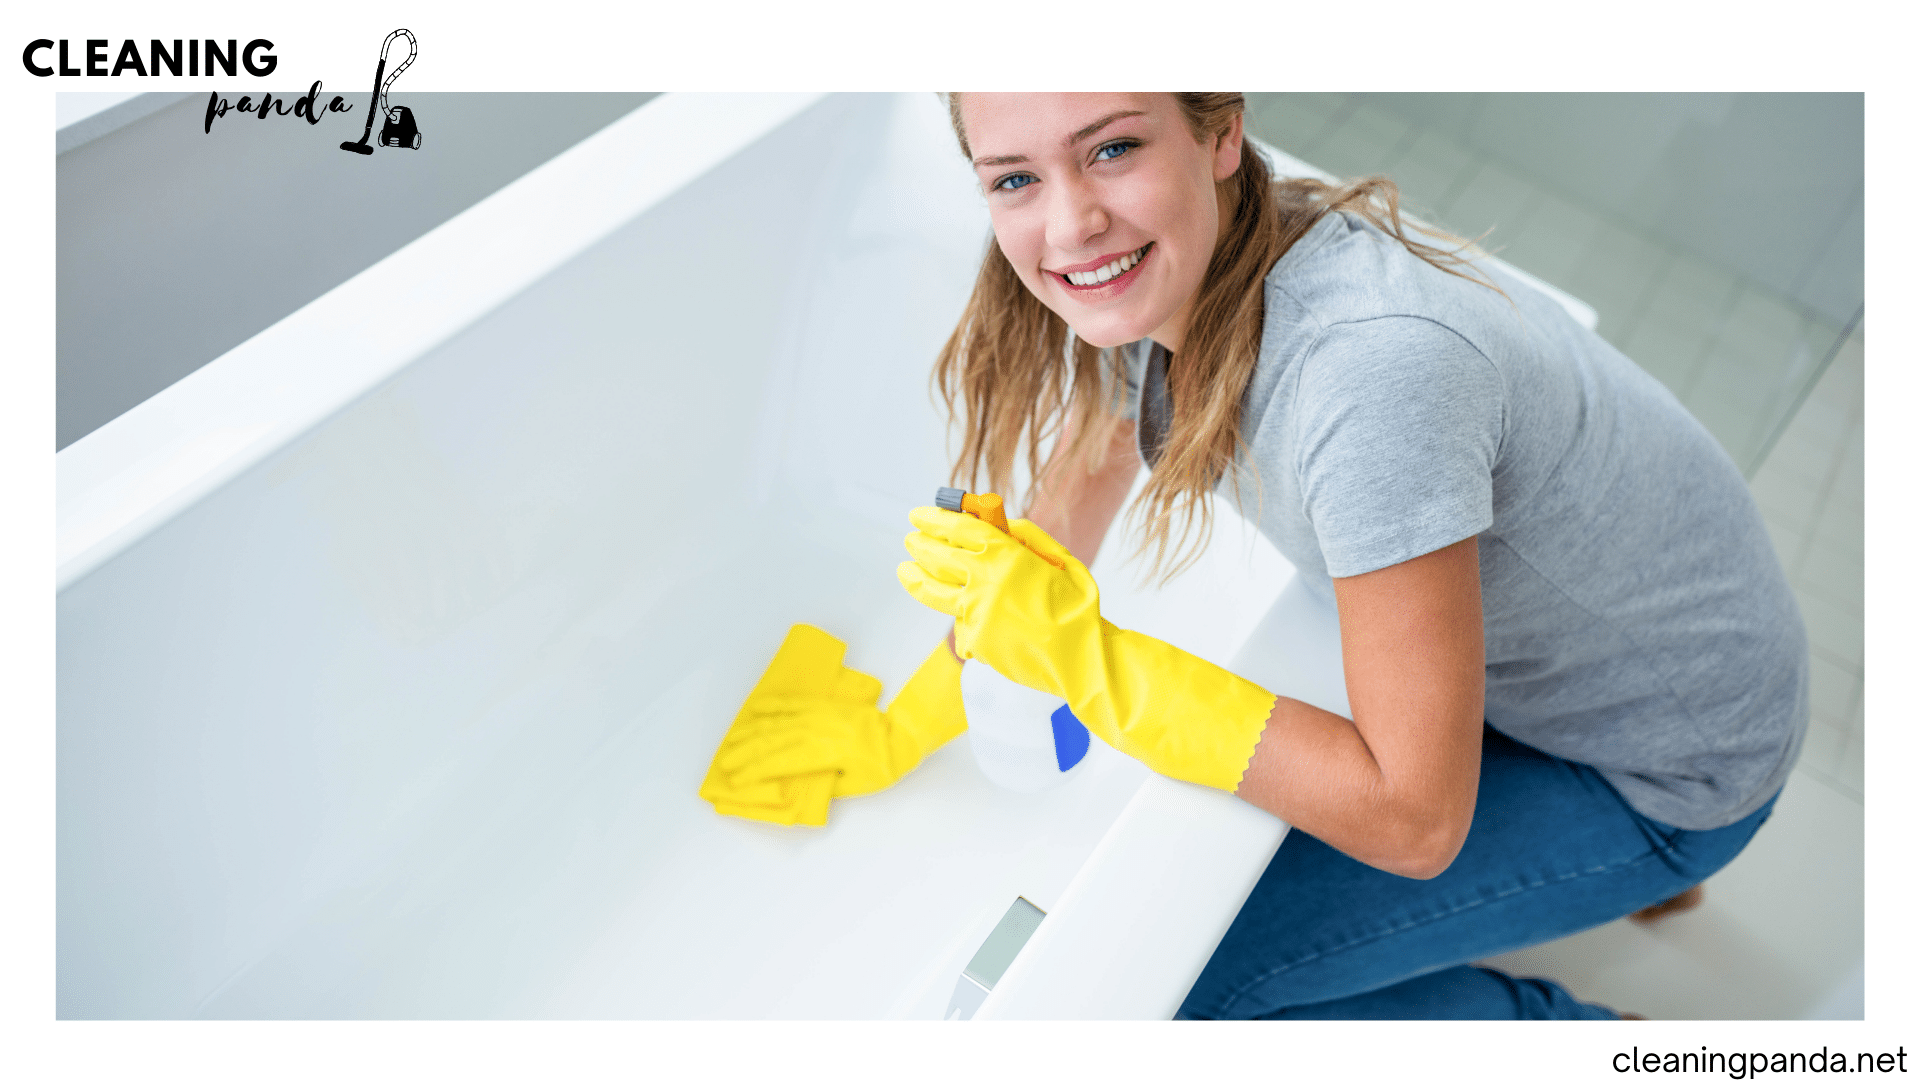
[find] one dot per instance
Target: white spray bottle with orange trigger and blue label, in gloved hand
(1022, 739)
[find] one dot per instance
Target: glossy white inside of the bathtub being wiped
(408, 720)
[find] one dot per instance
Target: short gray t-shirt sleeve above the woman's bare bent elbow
(1399, 430)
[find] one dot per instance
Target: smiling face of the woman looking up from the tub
(1105, 205)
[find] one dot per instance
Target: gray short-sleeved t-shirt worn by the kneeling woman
(1637, 616)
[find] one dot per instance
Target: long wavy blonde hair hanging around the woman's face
(1011, 372)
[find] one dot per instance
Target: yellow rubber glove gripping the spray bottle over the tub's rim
(1040, 626)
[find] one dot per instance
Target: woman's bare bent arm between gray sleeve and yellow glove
(1395, 789)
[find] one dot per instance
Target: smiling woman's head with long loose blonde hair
(1199, 212)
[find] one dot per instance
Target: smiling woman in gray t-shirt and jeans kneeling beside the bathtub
(1575, 668)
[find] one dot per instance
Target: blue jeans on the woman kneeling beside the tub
(1552, 850)
